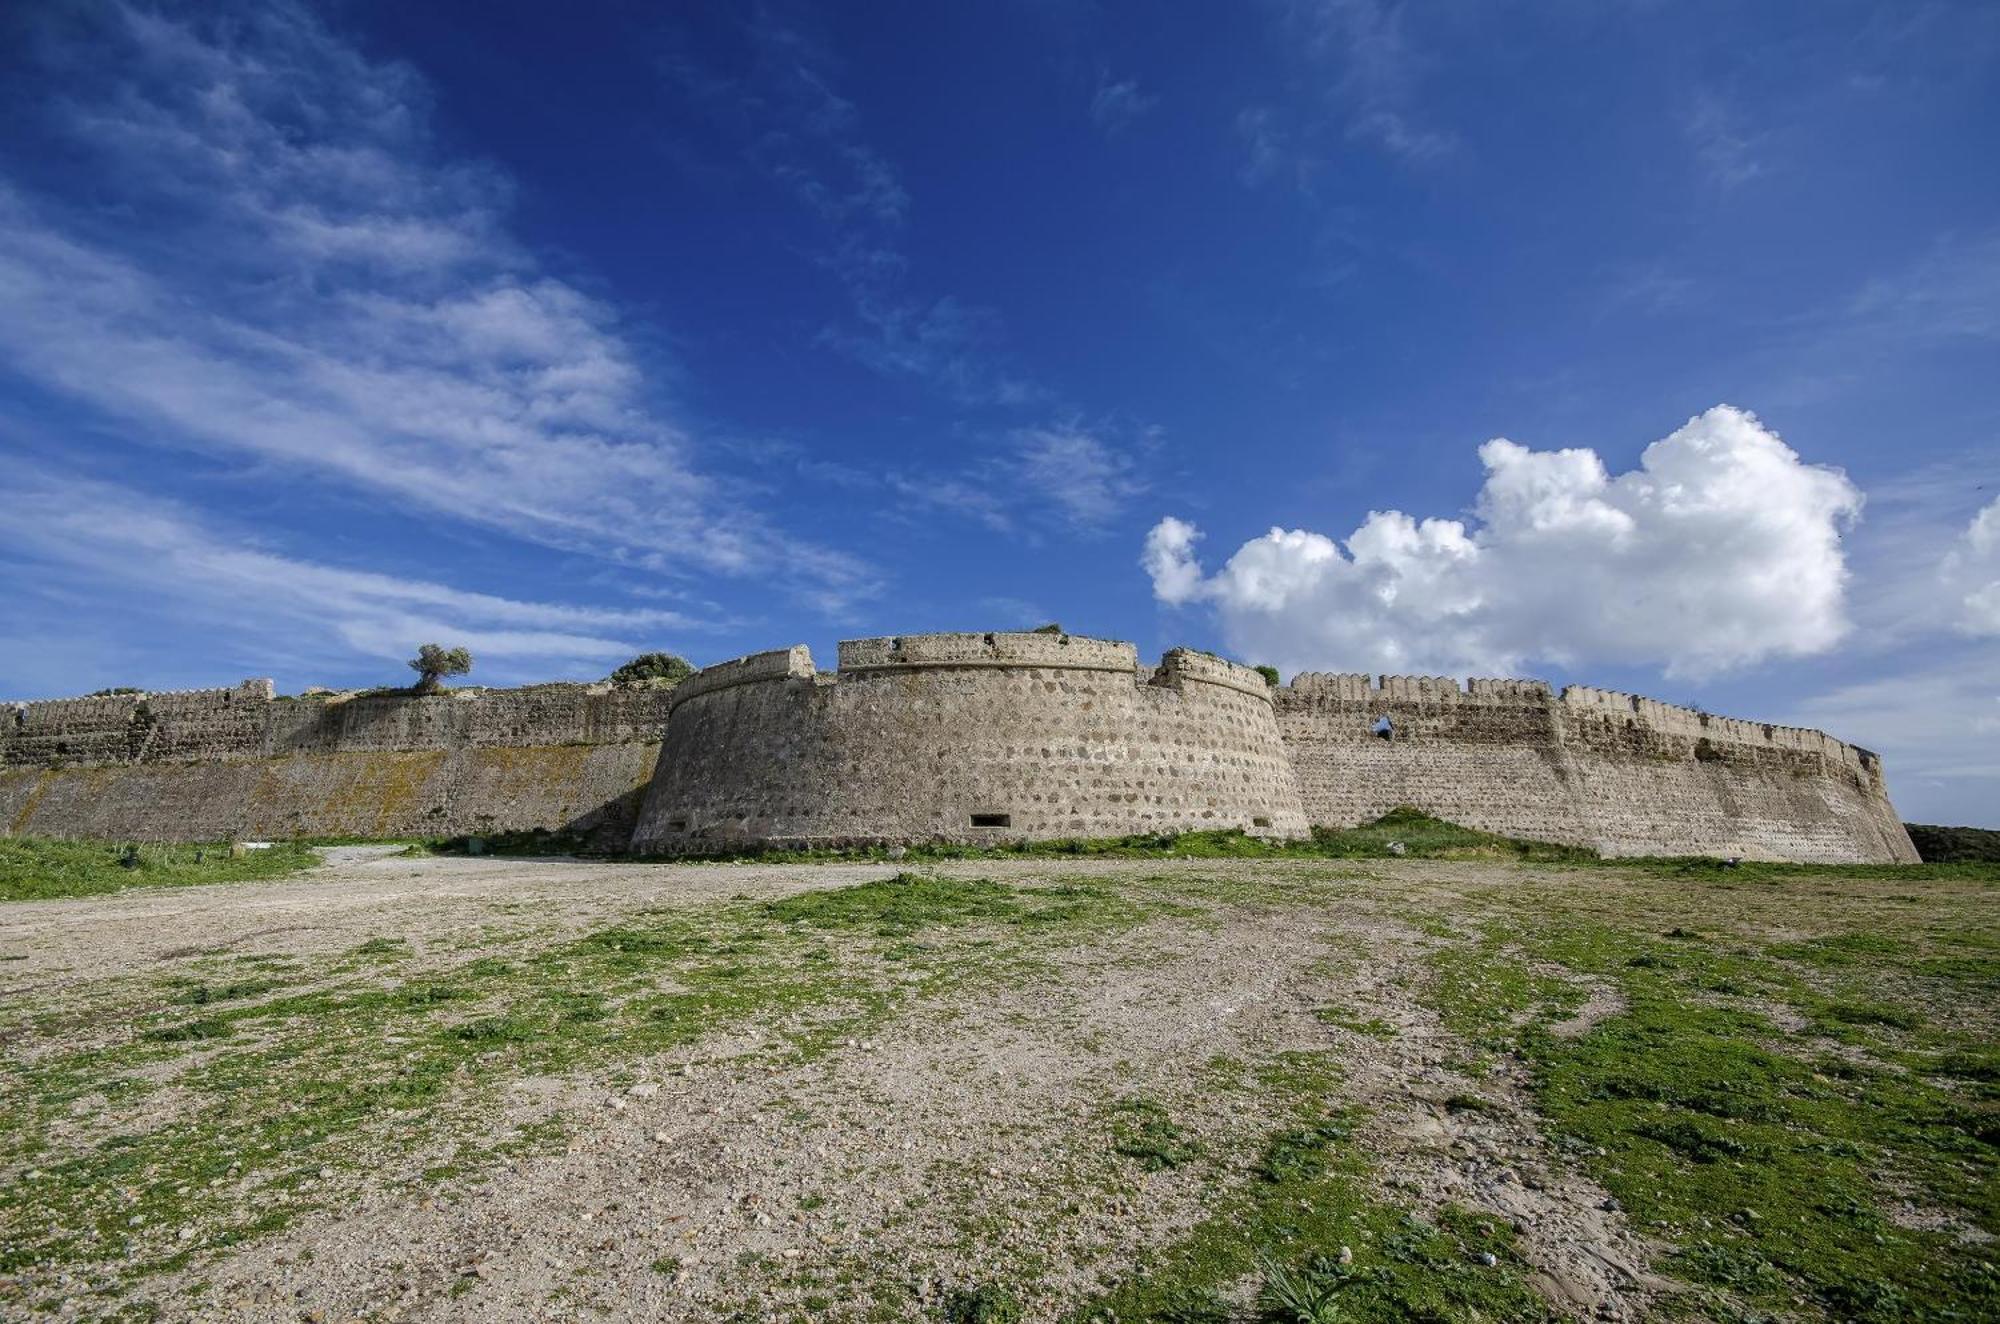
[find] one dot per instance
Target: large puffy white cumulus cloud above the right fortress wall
(1719, 551)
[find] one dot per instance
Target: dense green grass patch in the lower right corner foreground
(1767, 1165)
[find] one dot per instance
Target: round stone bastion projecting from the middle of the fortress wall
(967, 739)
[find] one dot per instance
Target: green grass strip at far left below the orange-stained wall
(45, 869)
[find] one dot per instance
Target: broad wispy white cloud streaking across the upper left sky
(321, 289)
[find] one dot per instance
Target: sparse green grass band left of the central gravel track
(353, 1071)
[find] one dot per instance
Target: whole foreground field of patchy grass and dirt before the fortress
(1085, 1087)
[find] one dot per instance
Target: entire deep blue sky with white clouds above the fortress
(567, 333)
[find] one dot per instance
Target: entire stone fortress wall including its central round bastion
(943, 737)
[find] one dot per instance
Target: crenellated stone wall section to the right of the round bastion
(1615, 773)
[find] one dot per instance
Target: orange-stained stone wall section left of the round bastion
(209, 765)
